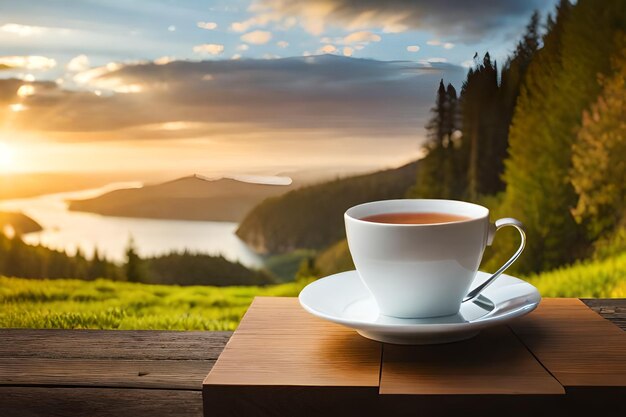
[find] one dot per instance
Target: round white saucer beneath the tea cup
(343, 298)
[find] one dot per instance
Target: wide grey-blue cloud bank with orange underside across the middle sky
(361, 97)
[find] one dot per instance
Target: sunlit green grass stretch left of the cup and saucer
(104, 304)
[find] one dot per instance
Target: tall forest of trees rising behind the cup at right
(543, 138)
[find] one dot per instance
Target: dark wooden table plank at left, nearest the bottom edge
(98, 402)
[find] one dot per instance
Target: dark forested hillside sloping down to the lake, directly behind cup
(311, 217)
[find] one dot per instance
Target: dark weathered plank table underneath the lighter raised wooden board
(116, 373)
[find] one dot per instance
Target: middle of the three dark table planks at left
(123, 373)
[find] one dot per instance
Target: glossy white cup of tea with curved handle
(422, 270)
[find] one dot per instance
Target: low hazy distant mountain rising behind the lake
(188, 198)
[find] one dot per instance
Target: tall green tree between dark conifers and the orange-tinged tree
(558, 86)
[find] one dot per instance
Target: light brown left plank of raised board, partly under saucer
(279, 344)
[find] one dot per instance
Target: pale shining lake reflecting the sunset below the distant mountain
(69, 230)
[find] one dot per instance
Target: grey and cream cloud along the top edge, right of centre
(461, 20)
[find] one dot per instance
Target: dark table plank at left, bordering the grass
(111, 344)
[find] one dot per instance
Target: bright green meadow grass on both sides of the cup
(105, 304)
